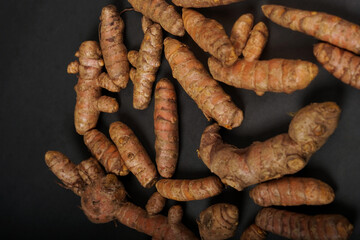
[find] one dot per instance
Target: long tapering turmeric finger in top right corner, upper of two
(323, 26)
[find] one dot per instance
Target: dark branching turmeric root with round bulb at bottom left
(103, 199)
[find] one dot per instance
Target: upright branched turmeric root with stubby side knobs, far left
(89, 102)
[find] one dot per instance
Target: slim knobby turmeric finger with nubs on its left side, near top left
(147, 63)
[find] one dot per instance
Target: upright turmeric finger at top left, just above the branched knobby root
(112, 46)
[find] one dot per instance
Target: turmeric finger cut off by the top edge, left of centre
(161, 12)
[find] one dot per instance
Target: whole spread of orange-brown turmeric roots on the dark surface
(234, 60)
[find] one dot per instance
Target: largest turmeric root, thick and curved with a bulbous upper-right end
(283, 154)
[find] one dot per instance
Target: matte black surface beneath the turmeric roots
(39, 39)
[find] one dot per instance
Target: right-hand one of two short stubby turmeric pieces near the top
(256, 43)
